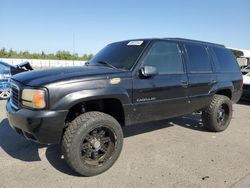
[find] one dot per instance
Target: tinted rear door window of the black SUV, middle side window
(198, 58)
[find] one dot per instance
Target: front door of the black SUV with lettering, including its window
(164, 95)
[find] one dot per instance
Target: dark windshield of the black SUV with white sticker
(121, 55)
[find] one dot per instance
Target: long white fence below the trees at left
(40, 63)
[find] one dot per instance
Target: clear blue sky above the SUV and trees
(48, 25)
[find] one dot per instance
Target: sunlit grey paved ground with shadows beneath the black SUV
(174, 153)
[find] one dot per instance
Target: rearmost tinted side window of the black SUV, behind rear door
(226, 61)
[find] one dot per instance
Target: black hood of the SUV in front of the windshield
(43, 77)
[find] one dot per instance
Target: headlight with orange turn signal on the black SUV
(34, 98)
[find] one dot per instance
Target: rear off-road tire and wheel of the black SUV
(217, 116)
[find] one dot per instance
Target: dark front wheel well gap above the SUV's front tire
(112, 107)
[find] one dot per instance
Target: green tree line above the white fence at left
(59, 55)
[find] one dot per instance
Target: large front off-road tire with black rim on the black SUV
(92, 143)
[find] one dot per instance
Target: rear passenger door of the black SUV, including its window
(201, 76)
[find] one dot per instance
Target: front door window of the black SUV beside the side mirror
(165, 57)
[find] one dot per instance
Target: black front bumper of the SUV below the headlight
(45, 127)
